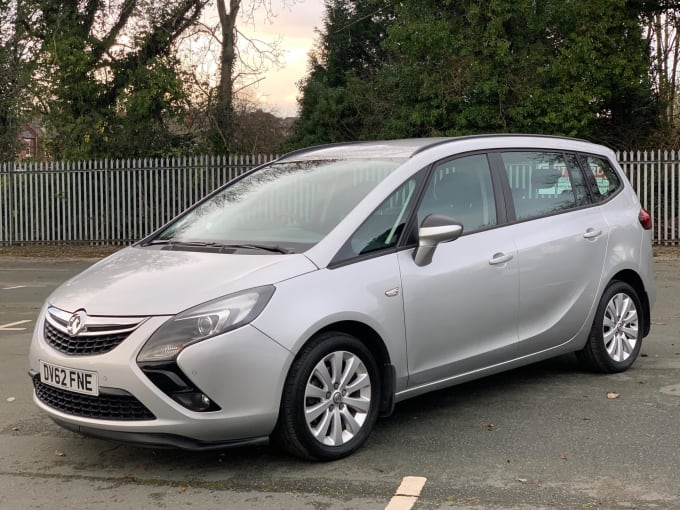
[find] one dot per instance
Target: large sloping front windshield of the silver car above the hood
(284, 207)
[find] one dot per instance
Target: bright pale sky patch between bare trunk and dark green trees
(294, 26)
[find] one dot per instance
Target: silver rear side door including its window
(561, 238)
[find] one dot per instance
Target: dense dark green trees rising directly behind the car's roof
(575, 68)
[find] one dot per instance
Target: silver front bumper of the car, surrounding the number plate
(242, 371)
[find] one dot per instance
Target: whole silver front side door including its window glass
(461, 309)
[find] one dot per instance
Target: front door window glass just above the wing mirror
(462, 190)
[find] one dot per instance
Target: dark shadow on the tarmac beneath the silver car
(411, 417)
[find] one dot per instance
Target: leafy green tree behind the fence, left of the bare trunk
(103, 98)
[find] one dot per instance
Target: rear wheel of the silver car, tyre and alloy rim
(616, 335)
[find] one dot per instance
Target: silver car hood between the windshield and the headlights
(142, 282)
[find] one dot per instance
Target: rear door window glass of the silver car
(541, 184)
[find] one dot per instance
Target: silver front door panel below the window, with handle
(460, 310)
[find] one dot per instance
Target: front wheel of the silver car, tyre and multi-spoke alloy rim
(330, 399)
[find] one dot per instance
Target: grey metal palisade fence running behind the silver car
(119, 201)
